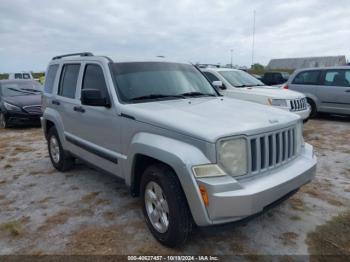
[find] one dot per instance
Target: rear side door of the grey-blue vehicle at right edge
(334, 93)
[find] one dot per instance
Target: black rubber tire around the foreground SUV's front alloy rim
(167, 180)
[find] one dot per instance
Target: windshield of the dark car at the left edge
(20, 89)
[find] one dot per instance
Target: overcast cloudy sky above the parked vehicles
(33, 31)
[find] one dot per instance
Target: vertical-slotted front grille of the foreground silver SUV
(272, 149)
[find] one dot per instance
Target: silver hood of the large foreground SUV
(211, 118)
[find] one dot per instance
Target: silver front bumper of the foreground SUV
(232, 199)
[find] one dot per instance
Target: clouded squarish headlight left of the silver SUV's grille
(233, 156)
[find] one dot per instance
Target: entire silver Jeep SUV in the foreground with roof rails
(193, 156)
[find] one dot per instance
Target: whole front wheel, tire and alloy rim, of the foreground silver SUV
(178, 216)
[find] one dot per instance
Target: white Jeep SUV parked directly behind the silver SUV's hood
(241, 85)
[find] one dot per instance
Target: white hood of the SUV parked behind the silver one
(271, 91)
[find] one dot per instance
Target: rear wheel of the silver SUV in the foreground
(60, 158)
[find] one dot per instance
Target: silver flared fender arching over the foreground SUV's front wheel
(178, 155)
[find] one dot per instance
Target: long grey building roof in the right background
(306, 62)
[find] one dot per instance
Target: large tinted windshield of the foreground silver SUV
(141, 81)
